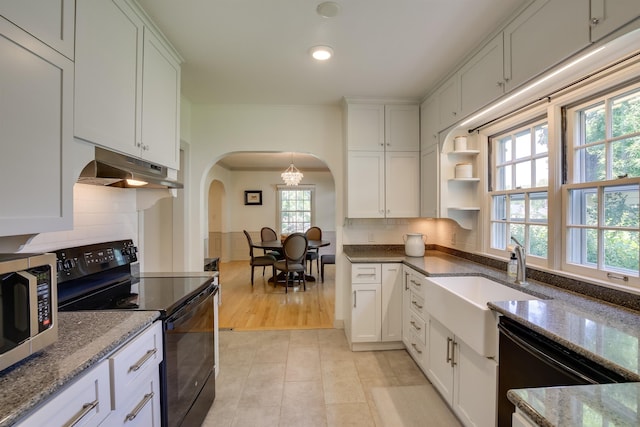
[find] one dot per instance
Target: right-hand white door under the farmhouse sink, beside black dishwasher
(475, 387)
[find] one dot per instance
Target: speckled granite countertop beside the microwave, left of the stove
(84, 338)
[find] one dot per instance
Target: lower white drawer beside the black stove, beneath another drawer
(142, 404)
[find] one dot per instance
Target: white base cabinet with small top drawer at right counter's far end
(376, 306)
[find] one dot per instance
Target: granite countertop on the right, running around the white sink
(601, 331)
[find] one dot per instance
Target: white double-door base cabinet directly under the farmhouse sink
(465, 379)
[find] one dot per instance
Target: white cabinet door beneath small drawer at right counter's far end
(366, 303)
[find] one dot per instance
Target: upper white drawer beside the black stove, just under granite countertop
(135, 360)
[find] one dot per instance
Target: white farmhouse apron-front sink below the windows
(460, 304)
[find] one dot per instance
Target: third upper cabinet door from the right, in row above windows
(481, 78)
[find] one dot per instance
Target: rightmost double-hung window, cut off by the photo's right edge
(602, 191)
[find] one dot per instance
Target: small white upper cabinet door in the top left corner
(52, 22)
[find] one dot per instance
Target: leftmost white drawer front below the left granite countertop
(86, 402)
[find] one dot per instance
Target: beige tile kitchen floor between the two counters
(302, 378)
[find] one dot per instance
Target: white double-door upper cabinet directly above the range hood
(127, 83)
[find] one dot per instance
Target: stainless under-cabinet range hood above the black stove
(118, 170)
